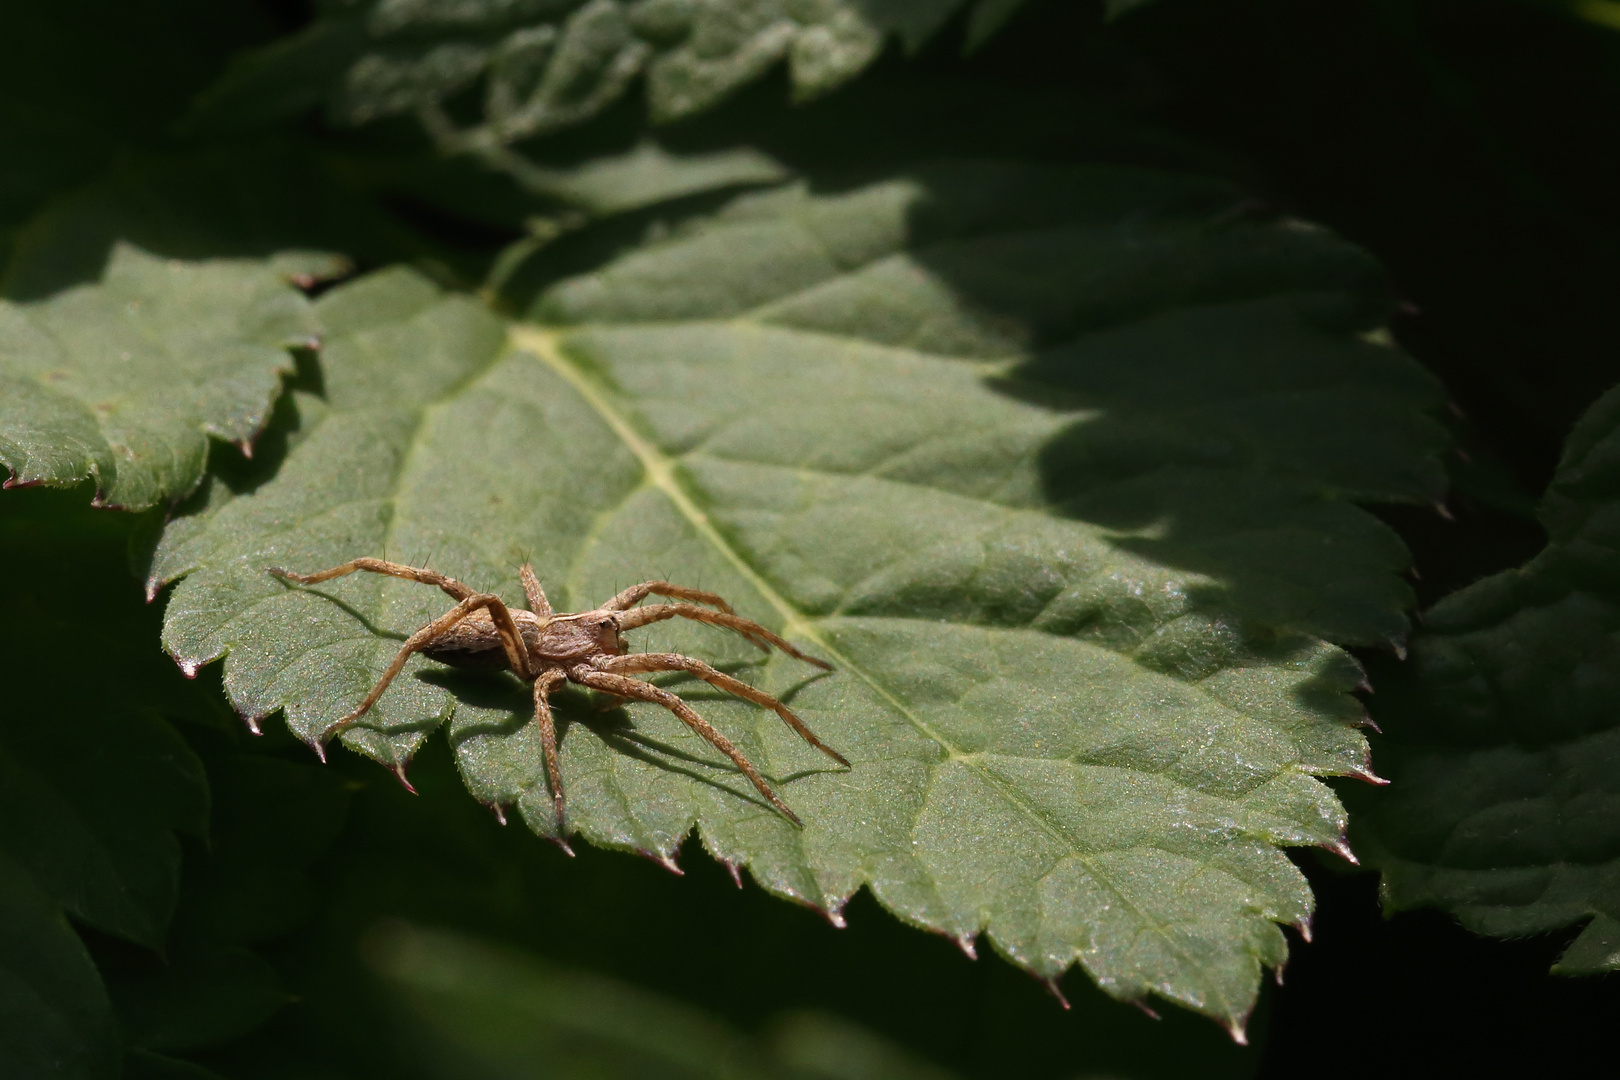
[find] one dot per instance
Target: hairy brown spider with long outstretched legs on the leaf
(586, 648)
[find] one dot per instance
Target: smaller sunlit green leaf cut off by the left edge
(122, 383)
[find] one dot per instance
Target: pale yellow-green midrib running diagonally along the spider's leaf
(544, 344)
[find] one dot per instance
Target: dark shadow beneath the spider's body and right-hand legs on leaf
(500, 692)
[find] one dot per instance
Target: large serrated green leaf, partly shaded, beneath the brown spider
(1054, 466)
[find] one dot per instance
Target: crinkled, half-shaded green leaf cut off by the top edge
(548, 66)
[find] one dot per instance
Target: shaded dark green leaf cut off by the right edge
(1504, 746)
